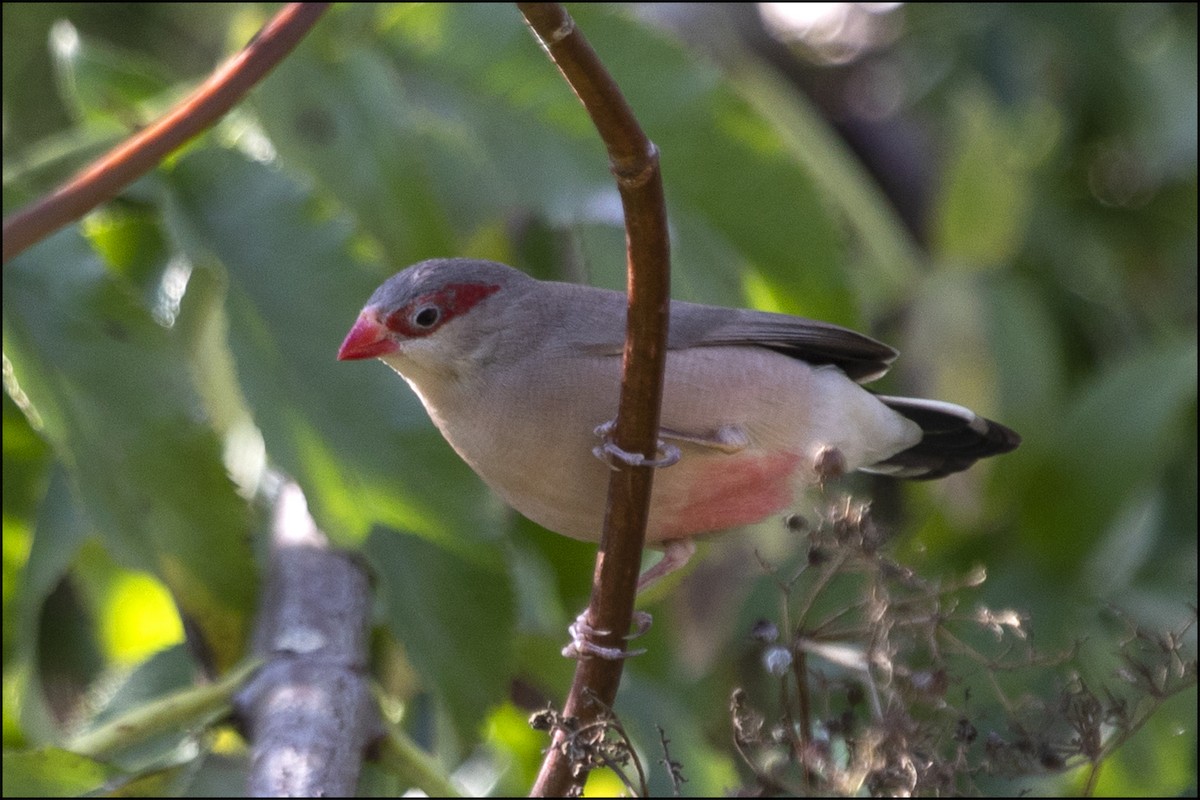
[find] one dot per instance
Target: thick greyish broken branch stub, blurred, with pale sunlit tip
(309, 712)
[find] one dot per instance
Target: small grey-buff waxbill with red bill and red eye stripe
(519, 375)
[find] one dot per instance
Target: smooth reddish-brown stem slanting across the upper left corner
(105, 178)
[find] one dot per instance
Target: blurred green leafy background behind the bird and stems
(164, 353)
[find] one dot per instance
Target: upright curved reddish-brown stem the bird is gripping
(635, 164)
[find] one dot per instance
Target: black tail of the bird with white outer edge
(956, 438)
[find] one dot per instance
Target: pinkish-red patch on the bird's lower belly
(725, 494)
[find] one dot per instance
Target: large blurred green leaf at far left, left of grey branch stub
(115, 394)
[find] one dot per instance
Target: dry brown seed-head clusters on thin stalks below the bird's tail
(896, 685)
